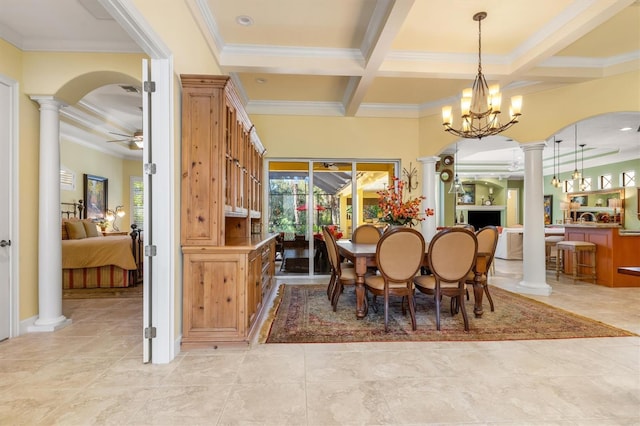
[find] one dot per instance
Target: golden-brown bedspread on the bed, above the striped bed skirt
(98, 251)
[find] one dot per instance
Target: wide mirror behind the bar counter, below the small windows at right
(607, 205)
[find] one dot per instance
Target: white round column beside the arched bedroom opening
(50, 315)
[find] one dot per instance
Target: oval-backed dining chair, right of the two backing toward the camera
(451, 254)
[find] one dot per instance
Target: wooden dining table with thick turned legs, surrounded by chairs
(363, 256)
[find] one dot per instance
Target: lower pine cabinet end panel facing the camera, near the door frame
(214, 304)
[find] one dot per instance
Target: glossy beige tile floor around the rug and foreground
(91, 373)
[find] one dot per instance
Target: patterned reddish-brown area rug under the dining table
(303, 314)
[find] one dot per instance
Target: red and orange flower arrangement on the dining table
(397, 211)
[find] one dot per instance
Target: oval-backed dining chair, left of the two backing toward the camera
(399, 255)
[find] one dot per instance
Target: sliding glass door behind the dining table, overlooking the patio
(305, 195)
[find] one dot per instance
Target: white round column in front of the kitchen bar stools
(534, 280)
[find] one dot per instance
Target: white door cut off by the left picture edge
(6, 114)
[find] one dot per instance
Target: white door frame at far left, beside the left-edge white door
(13, 163)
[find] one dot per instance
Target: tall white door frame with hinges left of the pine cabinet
(160, 270)
